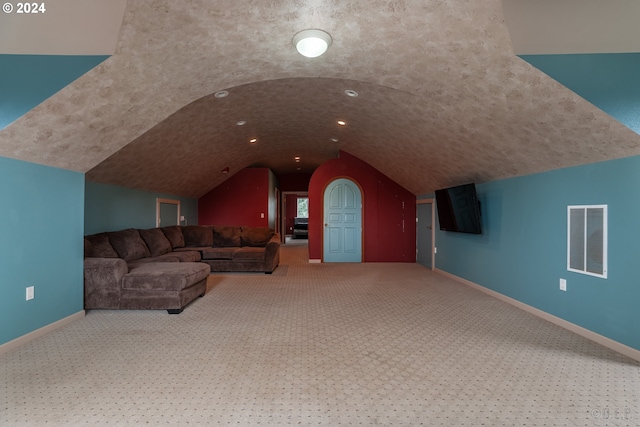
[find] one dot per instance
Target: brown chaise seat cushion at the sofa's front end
(167, 276)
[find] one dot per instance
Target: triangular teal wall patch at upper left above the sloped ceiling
(27, 80)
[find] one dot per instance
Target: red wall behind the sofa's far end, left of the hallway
(238, 201)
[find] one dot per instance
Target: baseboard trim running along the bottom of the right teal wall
(586, 333)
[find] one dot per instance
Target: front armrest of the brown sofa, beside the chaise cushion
(102, 282)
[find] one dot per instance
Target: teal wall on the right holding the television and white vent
(522, 251)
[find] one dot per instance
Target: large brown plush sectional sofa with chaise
(167, 268)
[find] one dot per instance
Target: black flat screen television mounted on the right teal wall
(459, 209)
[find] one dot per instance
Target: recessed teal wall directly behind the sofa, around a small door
(111, 208)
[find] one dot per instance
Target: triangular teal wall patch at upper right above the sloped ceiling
(607, 80)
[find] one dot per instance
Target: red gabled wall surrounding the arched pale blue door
(385, 206)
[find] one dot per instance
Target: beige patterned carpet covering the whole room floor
(321, 344)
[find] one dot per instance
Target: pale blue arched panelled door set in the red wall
(342, 222)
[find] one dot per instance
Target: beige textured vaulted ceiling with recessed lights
(442, 98)
